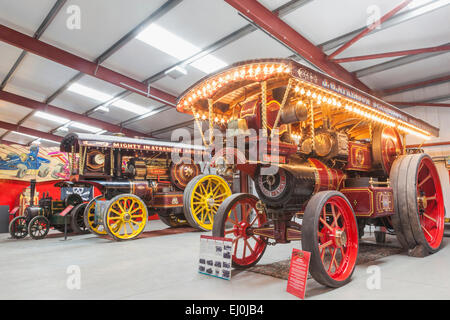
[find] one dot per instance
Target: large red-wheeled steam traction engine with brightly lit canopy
(340, 162)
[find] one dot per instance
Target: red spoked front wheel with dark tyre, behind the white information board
(235, 219)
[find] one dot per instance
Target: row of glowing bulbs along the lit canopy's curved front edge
(253, 72)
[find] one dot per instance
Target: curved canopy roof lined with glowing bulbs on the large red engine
(347, 106)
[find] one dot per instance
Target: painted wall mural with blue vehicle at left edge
(23, 163)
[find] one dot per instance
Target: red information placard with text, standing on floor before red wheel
(298, 273)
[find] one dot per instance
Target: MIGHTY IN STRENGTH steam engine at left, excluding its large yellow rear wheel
(136, 177)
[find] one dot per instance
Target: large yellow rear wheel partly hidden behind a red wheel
(202, 197)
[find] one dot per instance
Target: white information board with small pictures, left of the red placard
(215, 257)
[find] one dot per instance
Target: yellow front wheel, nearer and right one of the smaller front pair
(125, 217)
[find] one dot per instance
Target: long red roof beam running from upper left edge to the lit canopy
(57, 55)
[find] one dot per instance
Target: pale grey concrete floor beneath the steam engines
(166, 268)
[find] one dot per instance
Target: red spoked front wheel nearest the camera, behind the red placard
(330, 233)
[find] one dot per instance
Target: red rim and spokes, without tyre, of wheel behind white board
(242, 217)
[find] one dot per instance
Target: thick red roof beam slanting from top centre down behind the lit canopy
(276, 27)
